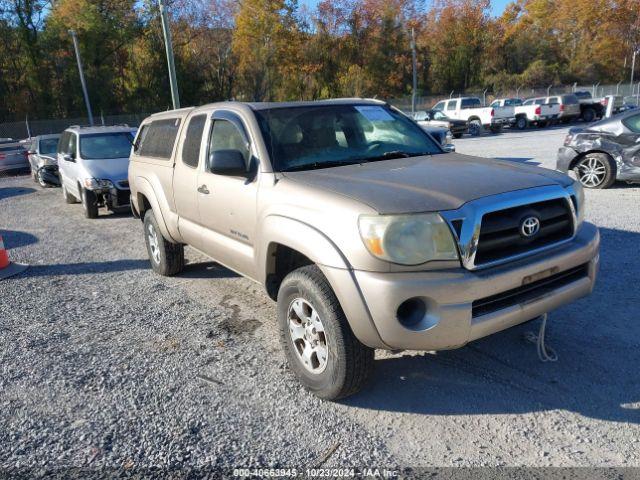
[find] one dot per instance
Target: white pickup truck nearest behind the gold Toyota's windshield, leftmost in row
(470, 109)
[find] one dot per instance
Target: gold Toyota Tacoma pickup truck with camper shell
(362, 228)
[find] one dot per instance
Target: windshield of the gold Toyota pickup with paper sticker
(304, 138)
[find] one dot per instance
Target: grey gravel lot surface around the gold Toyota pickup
(106, 364)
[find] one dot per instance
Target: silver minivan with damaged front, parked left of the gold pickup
(93, 163)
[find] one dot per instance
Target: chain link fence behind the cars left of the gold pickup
(31, 128)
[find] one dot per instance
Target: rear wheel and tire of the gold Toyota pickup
(167, 258)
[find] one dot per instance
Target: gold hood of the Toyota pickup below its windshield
(428, 183)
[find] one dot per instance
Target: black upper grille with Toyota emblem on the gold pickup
(501, 236)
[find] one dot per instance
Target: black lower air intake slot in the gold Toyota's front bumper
(528, 293)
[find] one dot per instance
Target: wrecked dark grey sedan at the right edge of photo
(603, 152)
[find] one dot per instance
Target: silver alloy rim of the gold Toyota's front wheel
(308, 336)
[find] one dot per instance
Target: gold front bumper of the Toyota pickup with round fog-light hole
(449, 295)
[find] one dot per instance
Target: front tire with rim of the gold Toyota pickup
(320, 347)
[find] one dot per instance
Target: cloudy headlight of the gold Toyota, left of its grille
(408, 239)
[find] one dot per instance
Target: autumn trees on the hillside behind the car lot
(278, 50)
